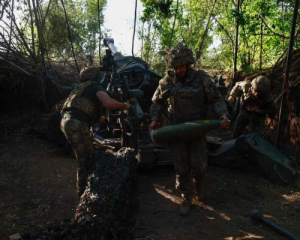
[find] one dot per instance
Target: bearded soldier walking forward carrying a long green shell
(187, 93)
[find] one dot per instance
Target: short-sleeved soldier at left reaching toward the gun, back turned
(78, 113)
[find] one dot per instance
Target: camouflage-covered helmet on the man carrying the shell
(179, 55)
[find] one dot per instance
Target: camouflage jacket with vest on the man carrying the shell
(188, 100)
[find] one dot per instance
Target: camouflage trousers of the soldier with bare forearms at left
(78, 134)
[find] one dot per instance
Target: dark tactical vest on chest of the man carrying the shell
(186, 102)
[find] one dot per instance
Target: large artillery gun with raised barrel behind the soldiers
(127, 79)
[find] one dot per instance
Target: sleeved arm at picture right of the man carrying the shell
(214, 97)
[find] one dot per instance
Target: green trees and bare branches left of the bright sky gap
(51, 29)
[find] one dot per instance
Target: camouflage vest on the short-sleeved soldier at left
(76, 101)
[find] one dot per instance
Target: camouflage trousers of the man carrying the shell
(190, 162)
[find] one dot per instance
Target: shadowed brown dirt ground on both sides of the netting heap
(37, 186)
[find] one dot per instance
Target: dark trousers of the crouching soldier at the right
(243, 120)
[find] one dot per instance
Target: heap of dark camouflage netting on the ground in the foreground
(106, 199)
